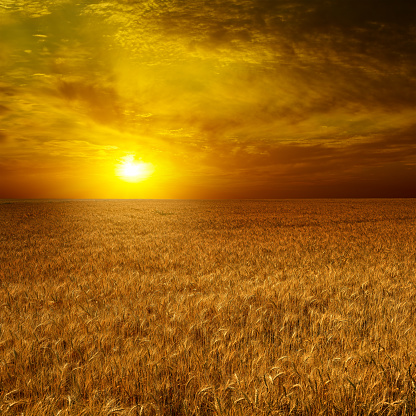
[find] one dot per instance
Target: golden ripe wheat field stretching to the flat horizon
(301, 307)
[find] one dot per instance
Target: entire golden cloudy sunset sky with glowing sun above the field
(207, 99)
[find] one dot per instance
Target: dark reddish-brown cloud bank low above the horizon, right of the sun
(390, 159)
